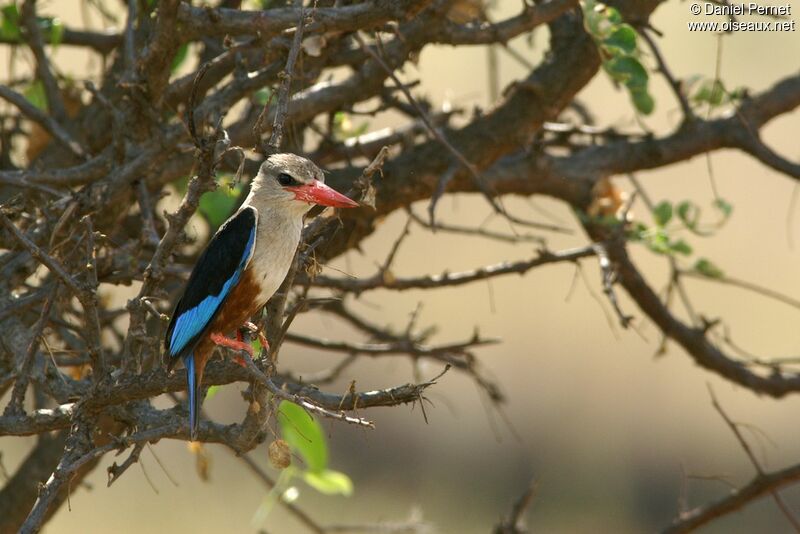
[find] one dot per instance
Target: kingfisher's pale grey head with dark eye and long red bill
(295, 182)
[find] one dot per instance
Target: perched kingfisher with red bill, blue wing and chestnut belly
(243, 265)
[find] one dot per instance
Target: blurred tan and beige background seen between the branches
(609, 430)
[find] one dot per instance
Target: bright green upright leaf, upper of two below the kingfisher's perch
(304, 435)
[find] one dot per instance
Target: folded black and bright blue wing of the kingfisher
(214, 276)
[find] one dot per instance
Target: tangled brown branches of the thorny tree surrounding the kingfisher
(79, 211)
